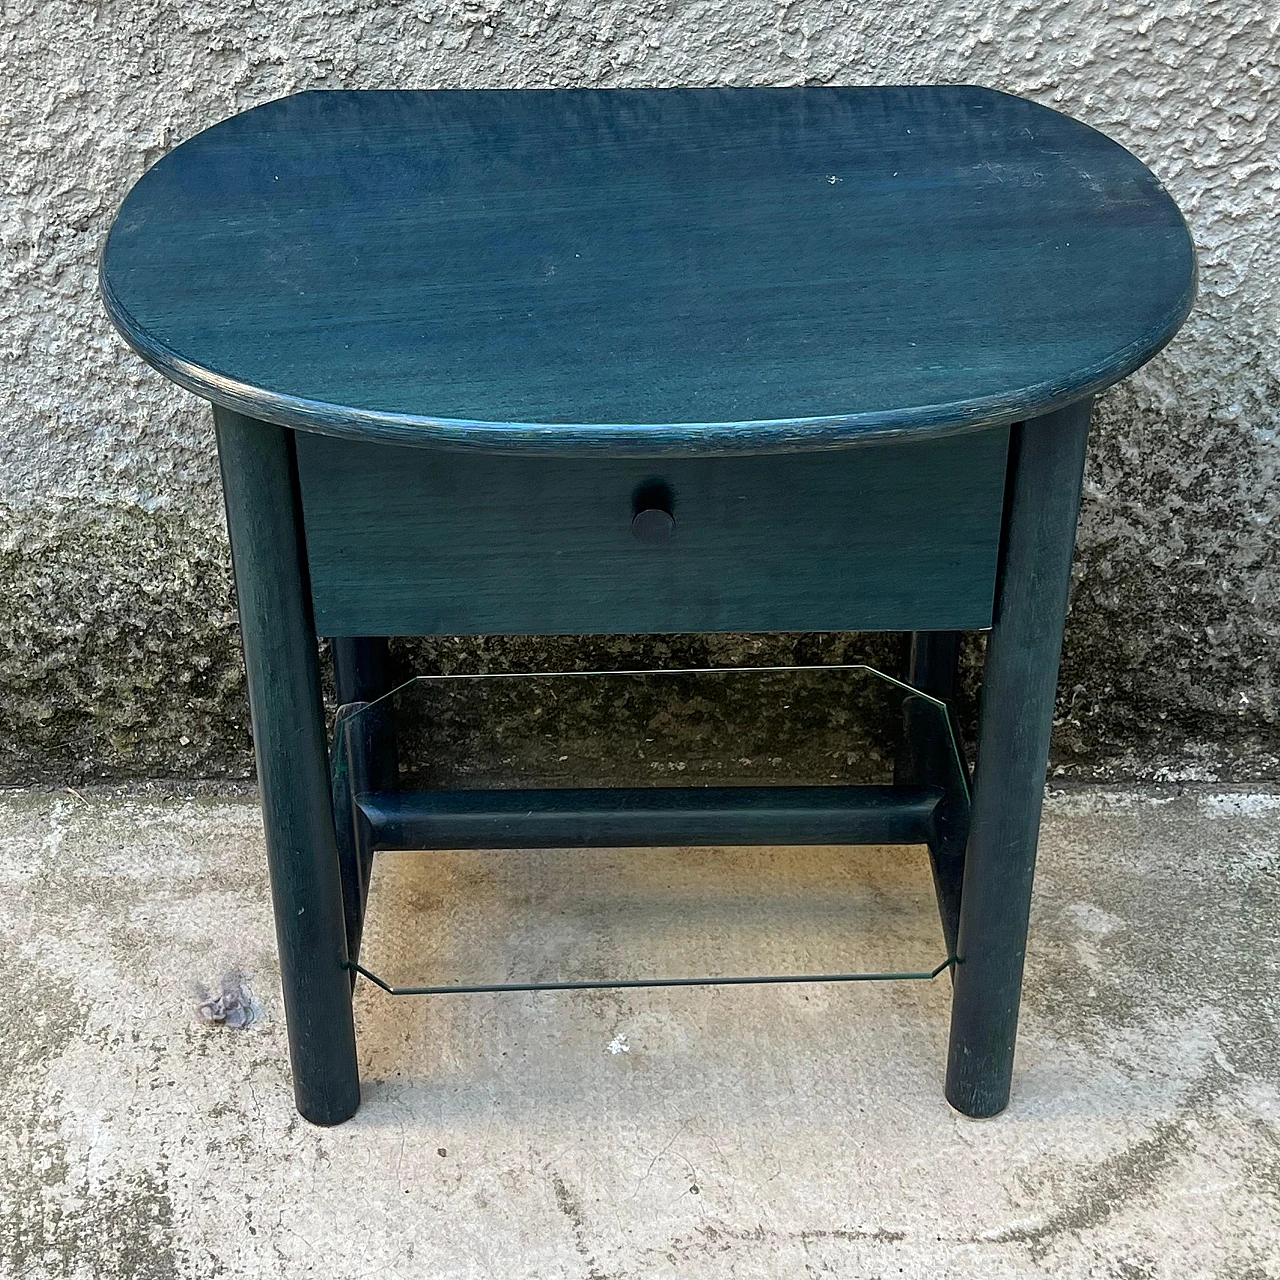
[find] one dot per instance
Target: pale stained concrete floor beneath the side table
(707, 1133)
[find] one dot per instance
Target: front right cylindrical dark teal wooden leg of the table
(1020, 685)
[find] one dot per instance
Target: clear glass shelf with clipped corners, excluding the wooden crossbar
(506, 918)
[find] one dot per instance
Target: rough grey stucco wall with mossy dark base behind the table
(117, 624)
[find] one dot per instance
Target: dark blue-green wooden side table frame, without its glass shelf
(650, 362)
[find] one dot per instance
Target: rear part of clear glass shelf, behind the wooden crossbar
(725, 726)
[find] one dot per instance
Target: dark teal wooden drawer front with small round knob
(899, 537)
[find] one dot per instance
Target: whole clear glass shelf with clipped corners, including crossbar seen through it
(437, 766)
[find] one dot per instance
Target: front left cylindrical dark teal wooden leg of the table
(281, 659)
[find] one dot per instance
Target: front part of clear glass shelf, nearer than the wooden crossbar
(467, 924)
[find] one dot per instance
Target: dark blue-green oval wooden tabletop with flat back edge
(648, 271)
